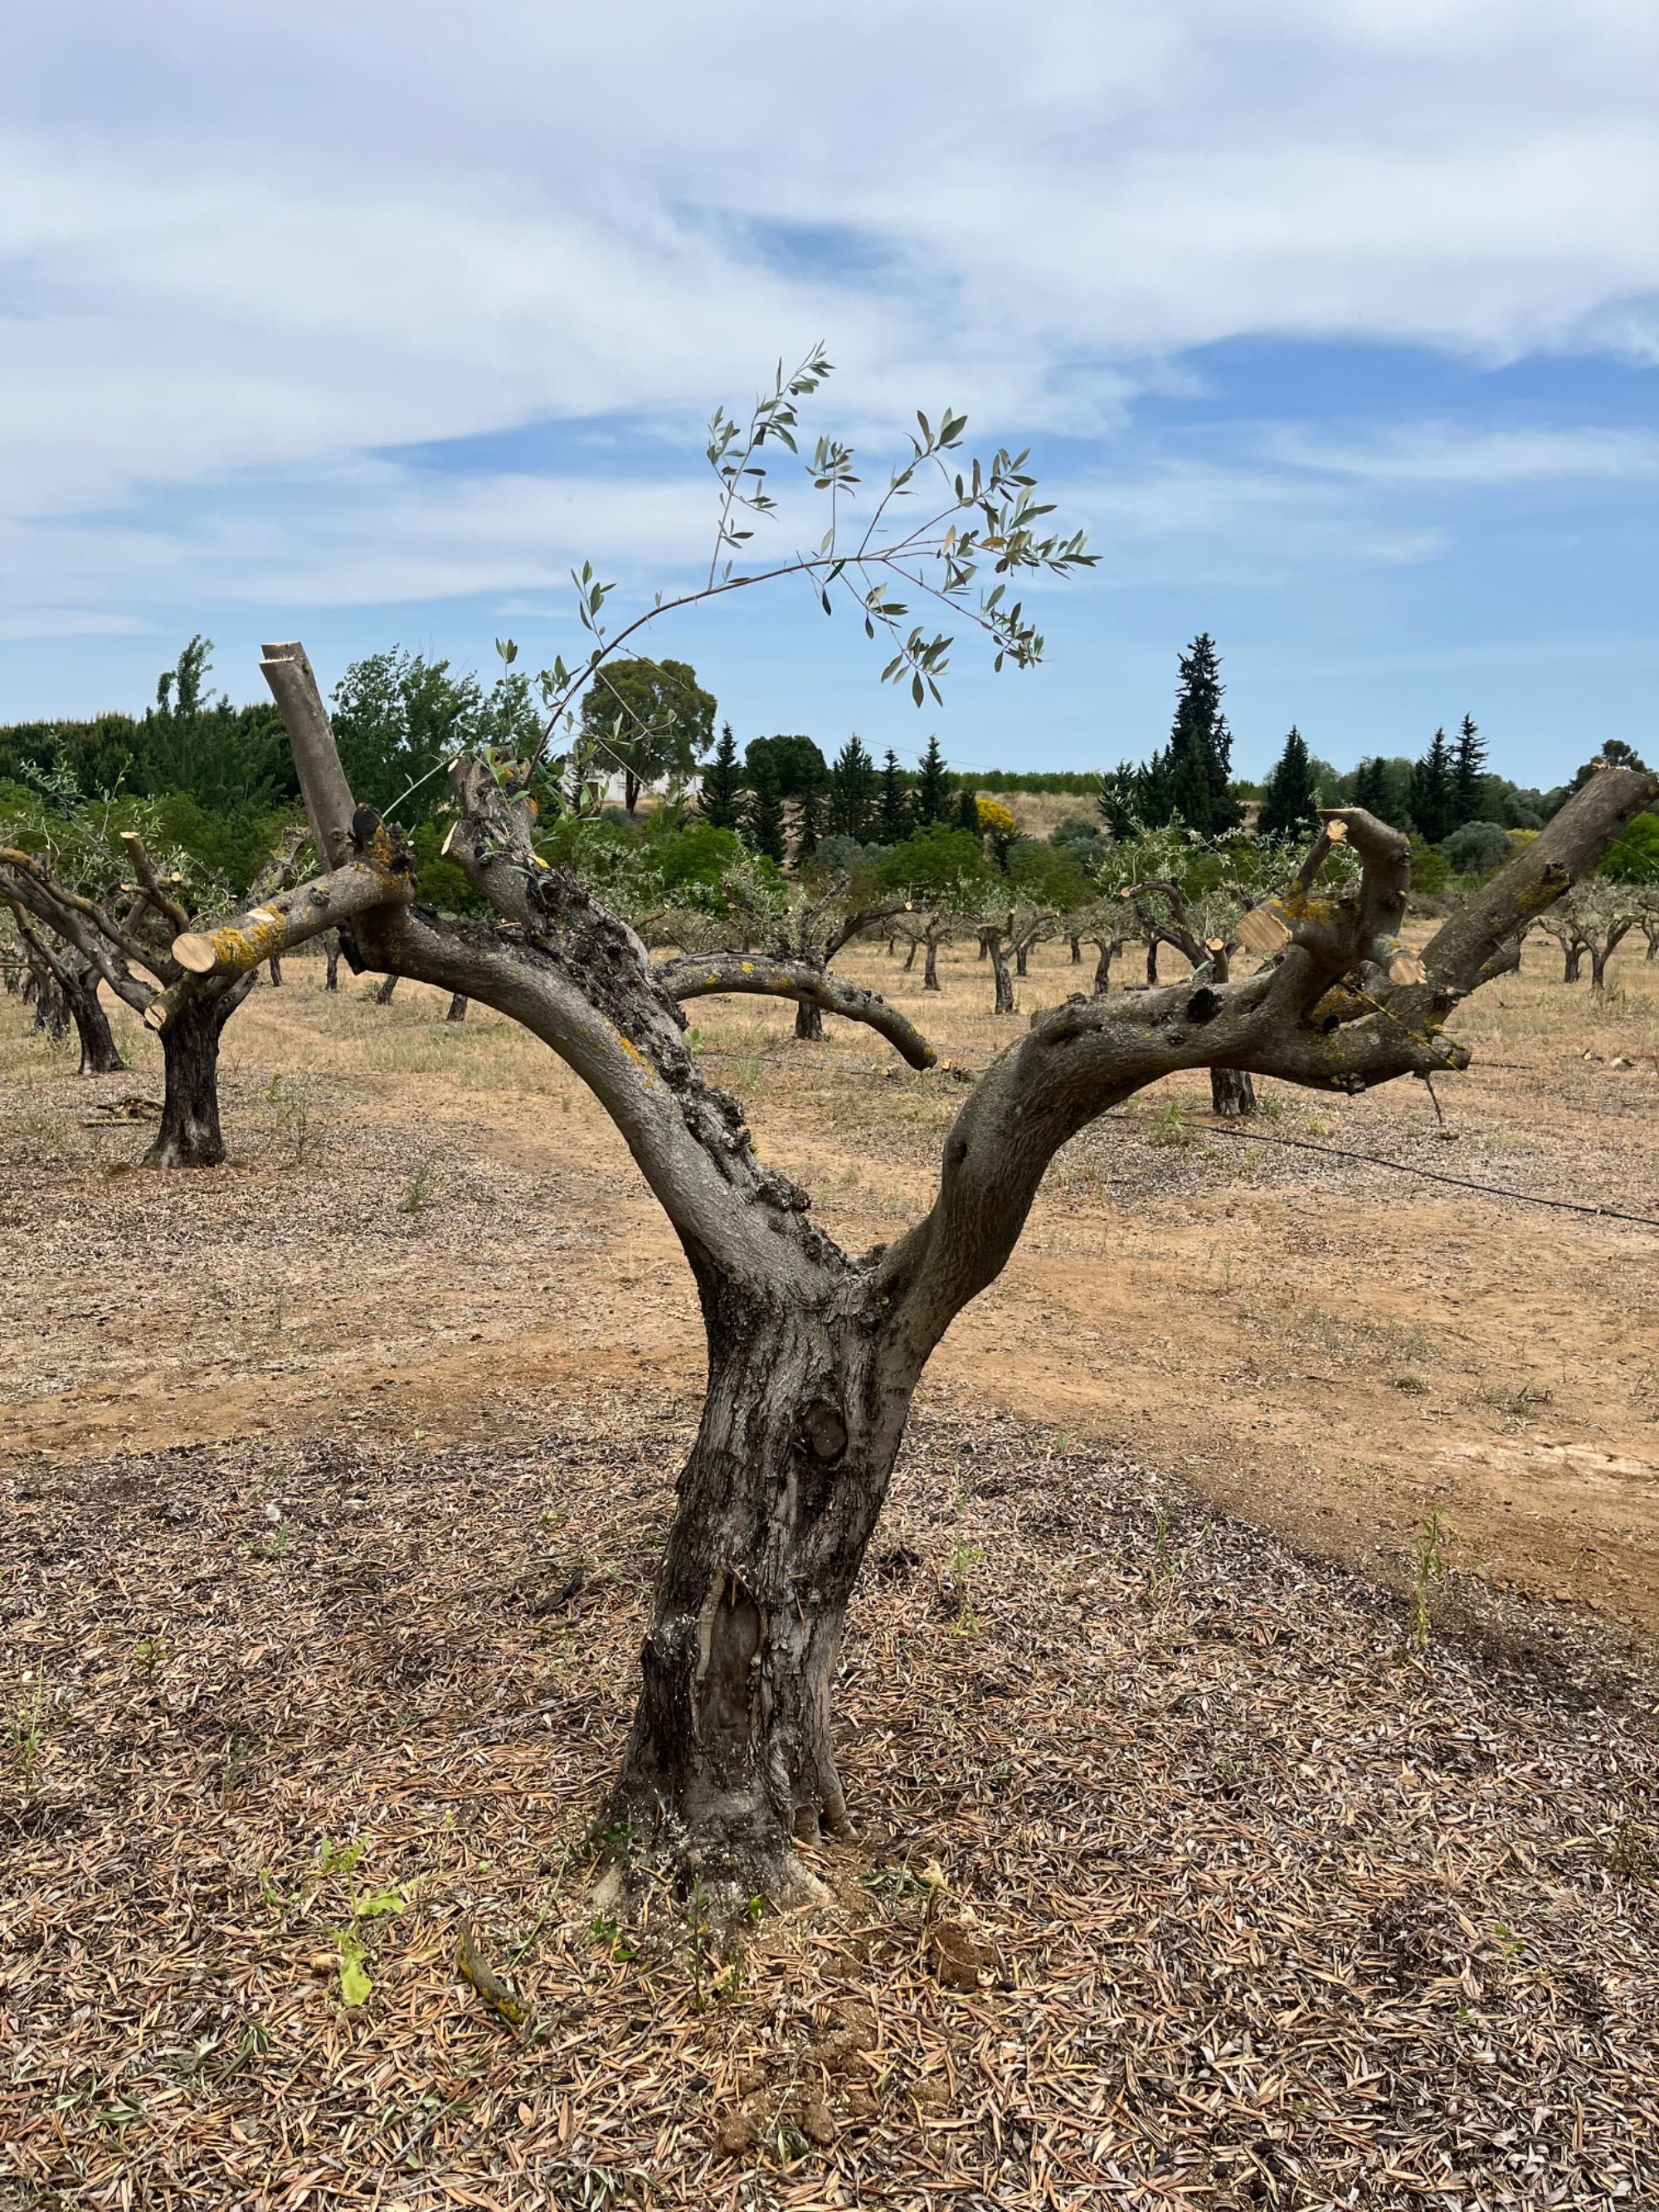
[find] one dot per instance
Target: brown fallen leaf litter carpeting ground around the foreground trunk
(1242, 1908)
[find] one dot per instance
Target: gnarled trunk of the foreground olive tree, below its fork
(731, 1742)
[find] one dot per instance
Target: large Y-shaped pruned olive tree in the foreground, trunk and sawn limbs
(815, 1353)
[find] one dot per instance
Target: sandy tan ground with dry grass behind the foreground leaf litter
(424, 1215)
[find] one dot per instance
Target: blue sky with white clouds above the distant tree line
(1335, 324)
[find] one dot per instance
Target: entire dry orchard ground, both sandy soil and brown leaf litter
(331, 1494)
